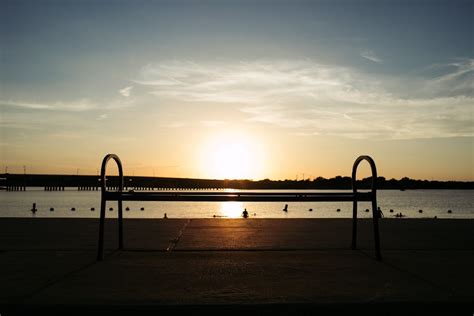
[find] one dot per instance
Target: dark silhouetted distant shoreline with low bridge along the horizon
(91, 182)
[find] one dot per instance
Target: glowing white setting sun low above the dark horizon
(232, 158)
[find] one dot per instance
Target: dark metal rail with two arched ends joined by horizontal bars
(354, 197)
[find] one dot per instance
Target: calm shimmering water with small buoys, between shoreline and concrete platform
(432, 202)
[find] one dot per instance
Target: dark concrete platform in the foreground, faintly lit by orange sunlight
(265, 266)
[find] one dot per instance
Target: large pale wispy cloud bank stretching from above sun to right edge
(314, 99)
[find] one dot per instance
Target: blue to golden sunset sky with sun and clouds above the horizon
(238, 89)
